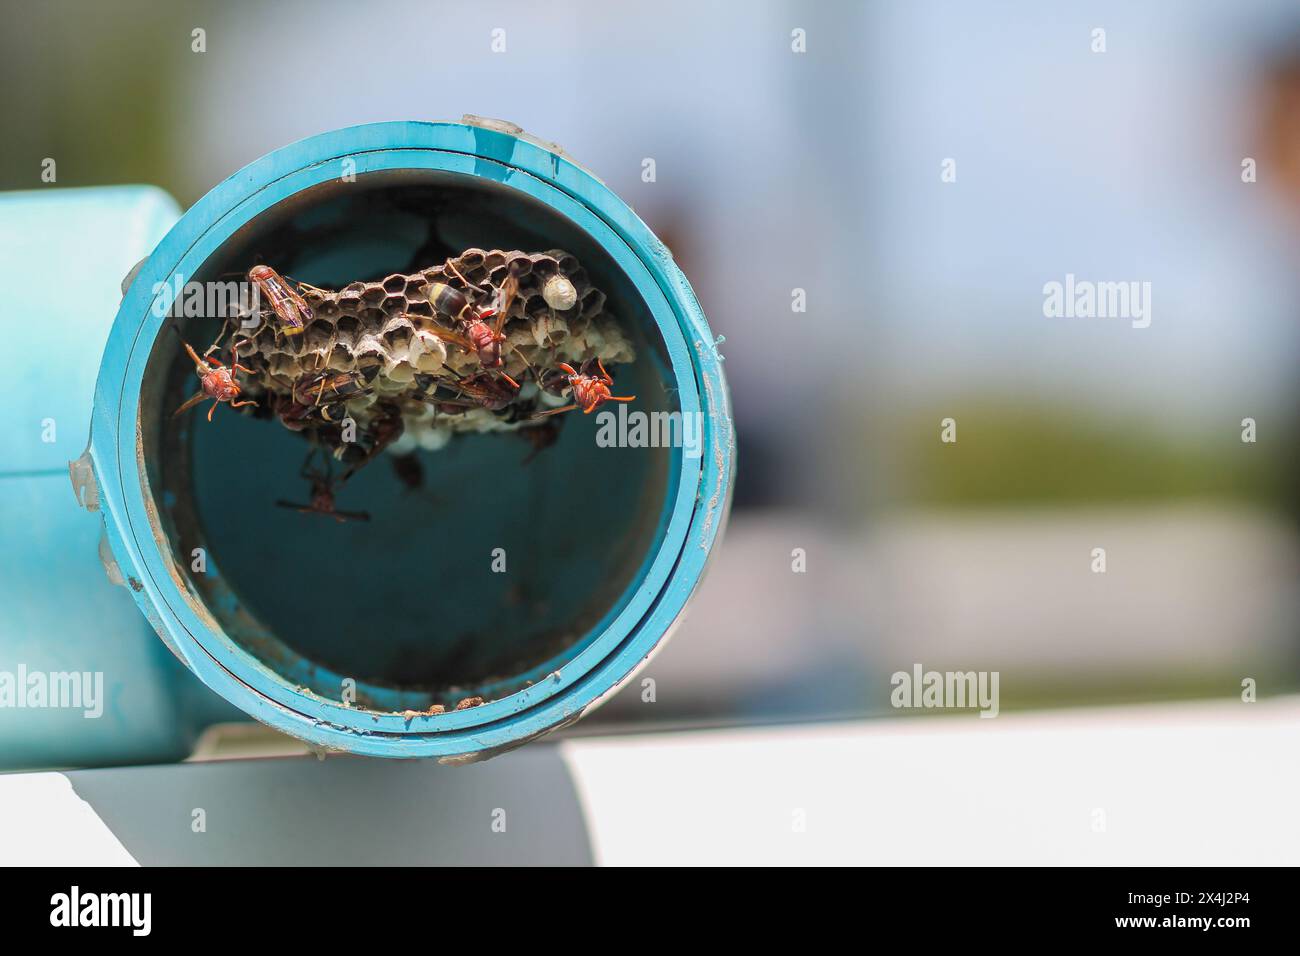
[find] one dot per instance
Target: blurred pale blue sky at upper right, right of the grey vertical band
(1124, 166)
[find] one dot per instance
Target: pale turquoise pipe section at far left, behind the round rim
(62, 613)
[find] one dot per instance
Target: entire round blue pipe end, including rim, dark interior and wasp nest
(476, 561)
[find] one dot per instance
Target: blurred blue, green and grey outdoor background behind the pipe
(821, 176)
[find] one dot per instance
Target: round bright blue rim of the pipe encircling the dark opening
(692, 520)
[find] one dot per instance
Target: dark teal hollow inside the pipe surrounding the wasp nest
(476, 574)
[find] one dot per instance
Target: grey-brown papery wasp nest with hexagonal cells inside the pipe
(378, 356)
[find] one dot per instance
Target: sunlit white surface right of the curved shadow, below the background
(1197, 785)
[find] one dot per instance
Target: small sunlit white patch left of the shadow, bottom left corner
(45, 824)
